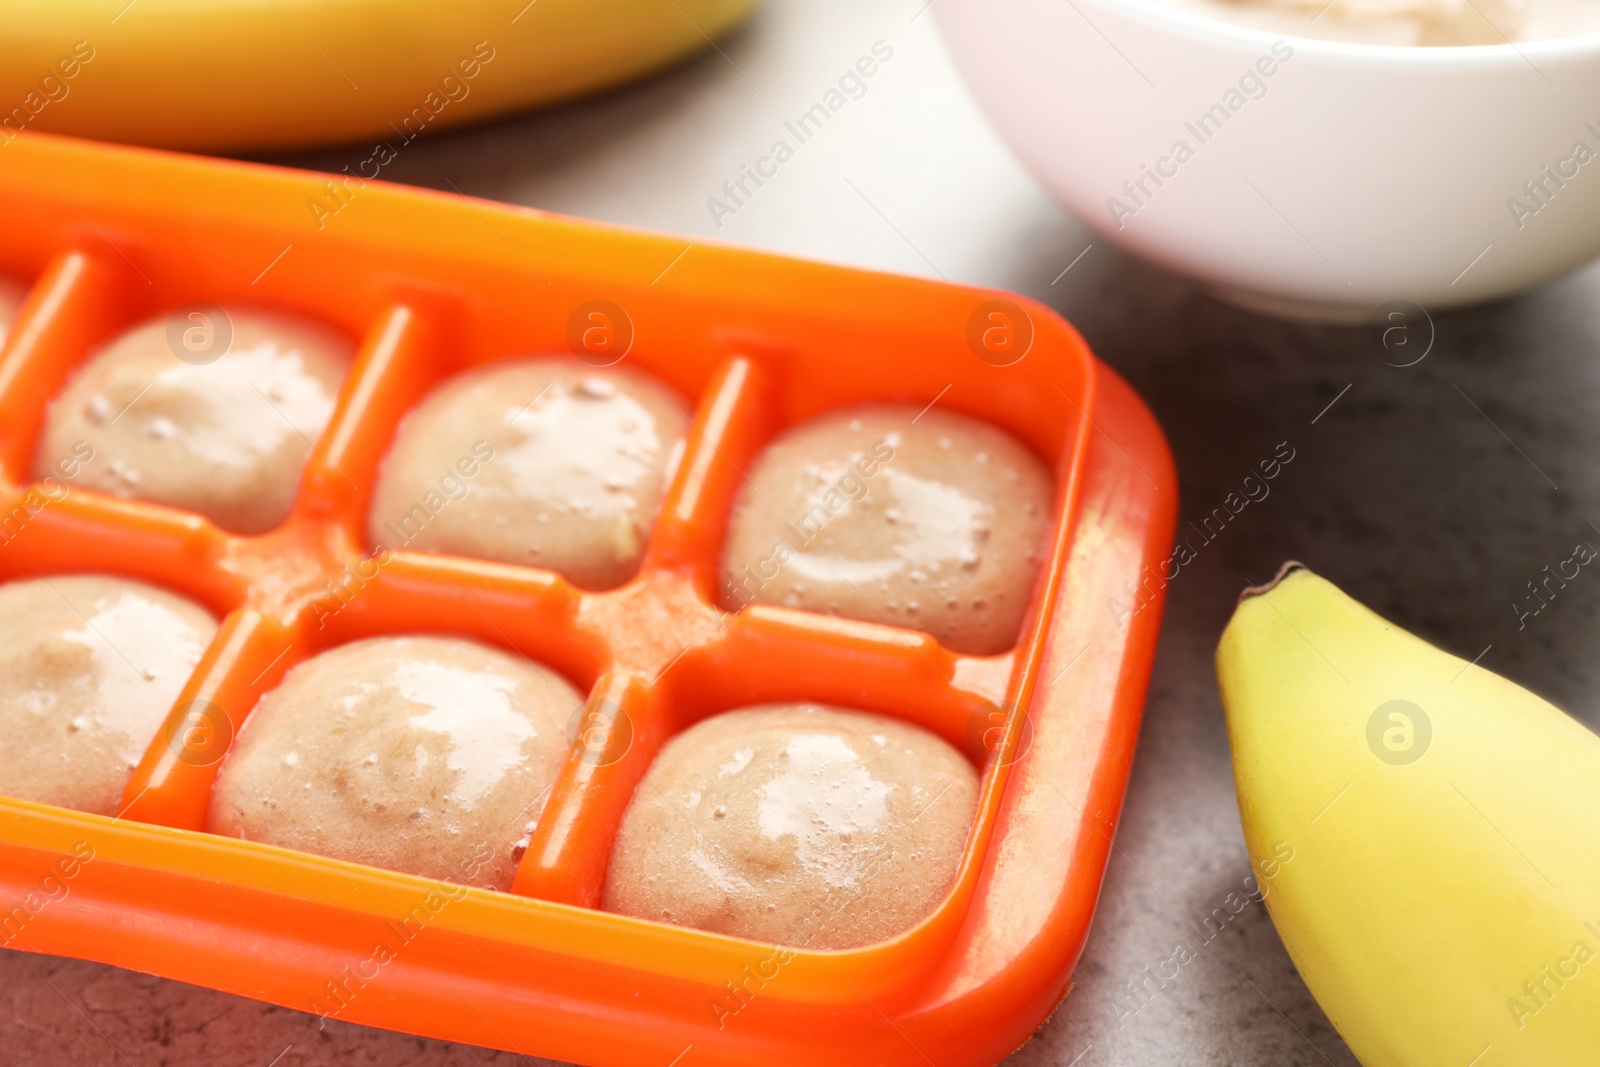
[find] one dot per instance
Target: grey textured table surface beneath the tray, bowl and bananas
(1434, 494)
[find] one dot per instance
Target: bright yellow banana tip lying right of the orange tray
(1444, 897)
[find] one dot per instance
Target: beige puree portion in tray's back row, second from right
(543, 463)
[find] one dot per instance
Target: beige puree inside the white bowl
(1409, 22)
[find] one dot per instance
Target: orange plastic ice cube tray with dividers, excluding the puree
(436, 284)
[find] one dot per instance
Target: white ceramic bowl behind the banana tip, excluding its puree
(1356, 175)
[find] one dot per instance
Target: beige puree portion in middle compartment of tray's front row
(431, 756)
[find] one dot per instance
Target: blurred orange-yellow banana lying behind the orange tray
(279, 74)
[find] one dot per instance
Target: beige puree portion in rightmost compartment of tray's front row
(798, 825)
